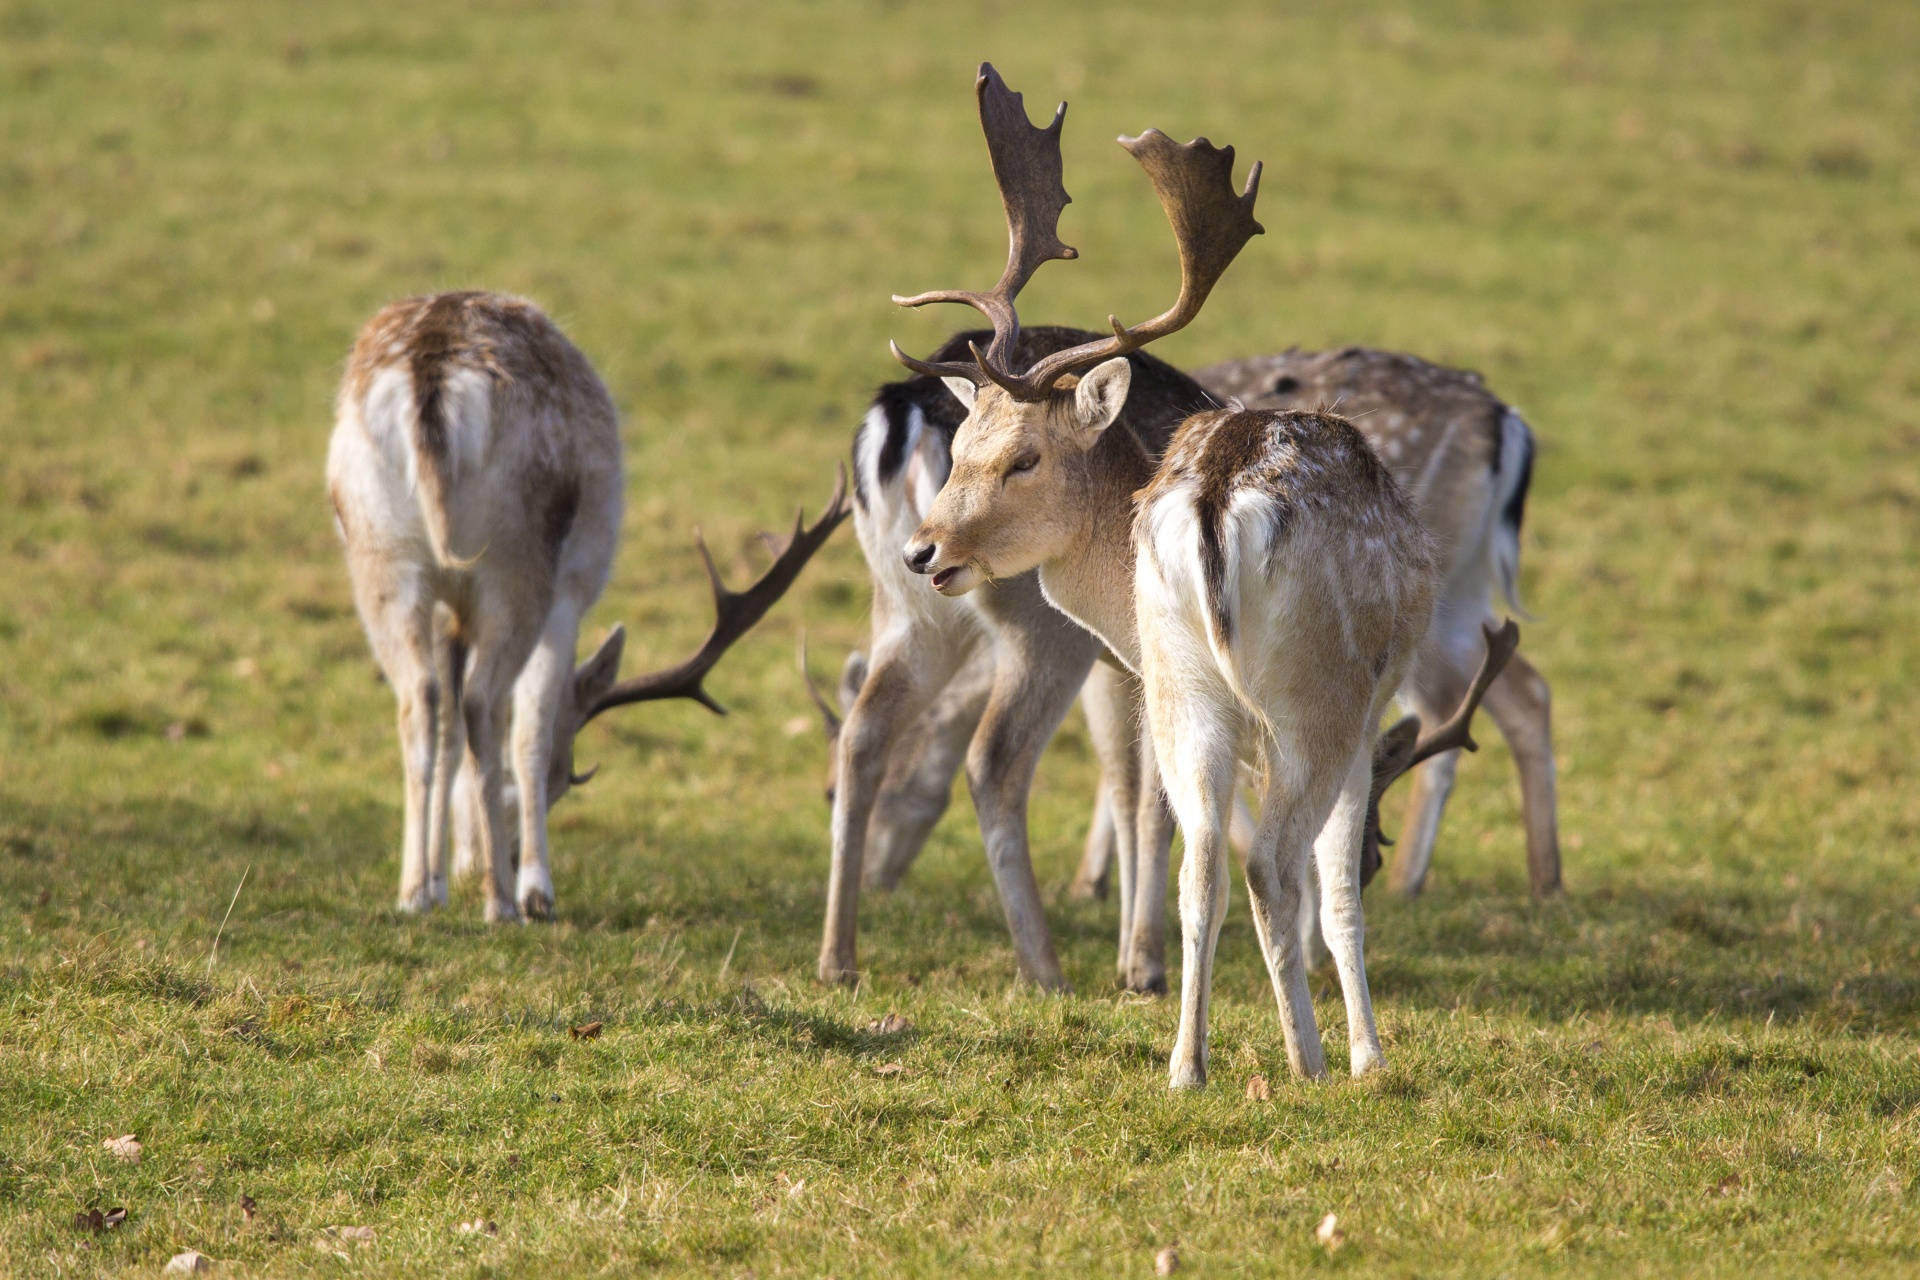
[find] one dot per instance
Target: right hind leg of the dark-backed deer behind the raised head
(1040, 667)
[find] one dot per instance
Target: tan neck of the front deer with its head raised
(1093, 581)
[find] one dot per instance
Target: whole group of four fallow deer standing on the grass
(1236, 571)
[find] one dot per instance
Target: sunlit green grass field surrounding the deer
(1683, 237)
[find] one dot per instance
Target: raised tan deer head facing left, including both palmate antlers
(1020, 458)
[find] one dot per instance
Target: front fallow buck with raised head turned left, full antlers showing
(1266, 581)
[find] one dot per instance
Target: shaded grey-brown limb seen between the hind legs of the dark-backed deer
(921, 782)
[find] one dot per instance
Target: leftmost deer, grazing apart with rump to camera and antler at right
(477, 483)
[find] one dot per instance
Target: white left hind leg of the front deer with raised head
(1197, 726)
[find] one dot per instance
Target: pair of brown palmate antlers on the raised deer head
(1195, 187)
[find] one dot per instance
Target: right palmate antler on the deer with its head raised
(1211, 227)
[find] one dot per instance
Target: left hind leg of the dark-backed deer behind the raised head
(907, 669)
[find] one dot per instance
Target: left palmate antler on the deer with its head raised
(1028, 170)
